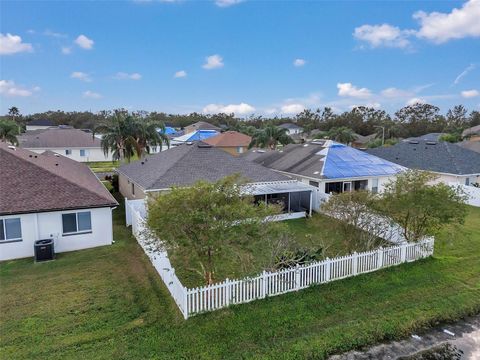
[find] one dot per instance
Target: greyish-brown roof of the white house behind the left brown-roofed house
(58, 137)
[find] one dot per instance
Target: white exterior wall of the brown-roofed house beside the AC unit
(47, 225)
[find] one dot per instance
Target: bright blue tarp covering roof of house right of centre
(344, 161)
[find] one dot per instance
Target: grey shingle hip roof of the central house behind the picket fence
(185, 164)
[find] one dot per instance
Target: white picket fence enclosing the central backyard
(220, 295)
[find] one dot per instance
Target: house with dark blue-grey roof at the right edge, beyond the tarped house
(452, 163)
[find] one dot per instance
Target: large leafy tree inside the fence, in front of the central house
(207, 222)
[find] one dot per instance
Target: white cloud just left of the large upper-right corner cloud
(384, 35)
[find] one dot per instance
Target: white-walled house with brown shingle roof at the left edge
(47, 196)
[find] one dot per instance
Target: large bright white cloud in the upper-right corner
(458, 24)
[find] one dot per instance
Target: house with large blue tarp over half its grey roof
(329, 166)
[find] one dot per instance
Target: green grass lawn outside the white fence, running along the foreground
(109, 303)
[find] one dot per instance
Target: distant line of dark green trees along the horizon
(409, 121)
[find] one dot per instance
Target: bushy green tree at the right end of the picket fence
(421, 207)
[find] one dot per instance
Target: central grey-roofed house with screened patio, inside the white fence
(185, 164)
